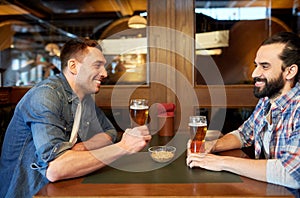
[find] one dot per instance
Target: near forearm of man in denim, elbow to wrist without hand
(79, 163)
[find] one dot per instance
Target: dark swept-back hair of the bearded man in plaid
(291, 52)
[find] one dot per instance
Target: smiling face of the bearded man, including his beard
(268, 76)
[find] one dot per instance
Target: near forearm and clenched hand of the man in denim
(75, 163)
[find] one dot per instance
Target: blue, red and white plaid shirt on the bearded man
(285, 138)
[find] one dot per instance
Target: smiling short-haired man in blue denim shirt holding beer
(37, 147)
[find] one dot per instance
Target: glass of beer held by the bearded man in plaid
(198, 128)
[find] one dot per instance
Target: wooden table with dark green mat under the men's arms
(171, 180)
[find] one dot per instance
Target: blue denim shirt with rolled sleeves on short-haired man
(40, 131)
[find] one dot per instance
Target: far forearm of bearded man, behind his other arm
(227, 142)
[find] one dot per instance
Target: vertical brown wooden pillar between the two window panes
(171, 52)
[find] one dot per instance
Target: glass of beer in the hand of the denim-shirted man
(139, 111)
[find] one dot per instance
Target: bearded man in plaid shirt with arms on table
(274, 126)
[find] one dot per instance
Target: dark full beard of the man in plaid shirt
(272, 88)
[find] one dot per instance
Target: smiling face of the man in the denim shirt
(90, 72)
